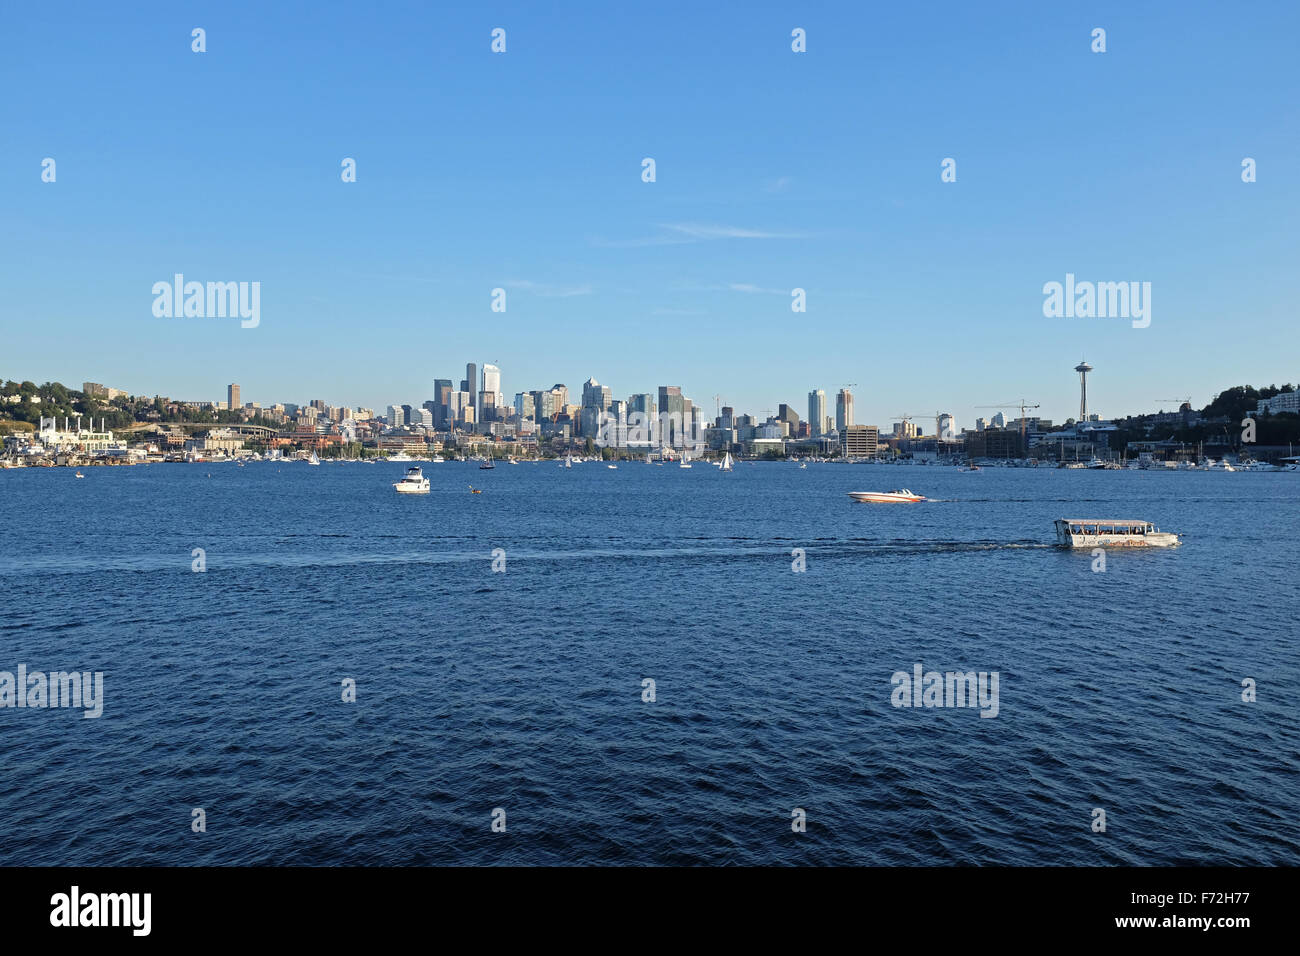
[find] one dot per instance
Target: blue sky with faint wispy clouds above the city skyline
(774, 171)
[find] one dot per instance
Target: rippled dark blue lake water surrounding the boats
(523, 690)
